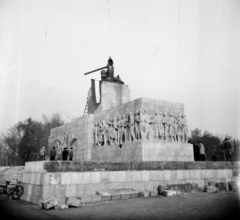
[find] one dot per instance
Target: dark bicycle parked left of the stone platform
(14, 192)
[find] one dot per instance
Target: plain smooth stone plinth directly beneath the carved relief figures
(144, 151)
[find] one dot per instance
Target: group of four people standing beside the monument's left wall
(66, 155)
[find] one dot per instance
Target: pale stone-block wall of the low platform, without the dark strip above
(42, 185)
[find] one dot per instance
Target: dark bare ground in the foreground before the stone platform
(187, 206)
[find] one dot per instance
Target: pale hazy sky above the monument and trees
(185, 51)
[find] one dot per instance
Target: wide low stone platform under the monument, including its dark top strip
(63, 179)
